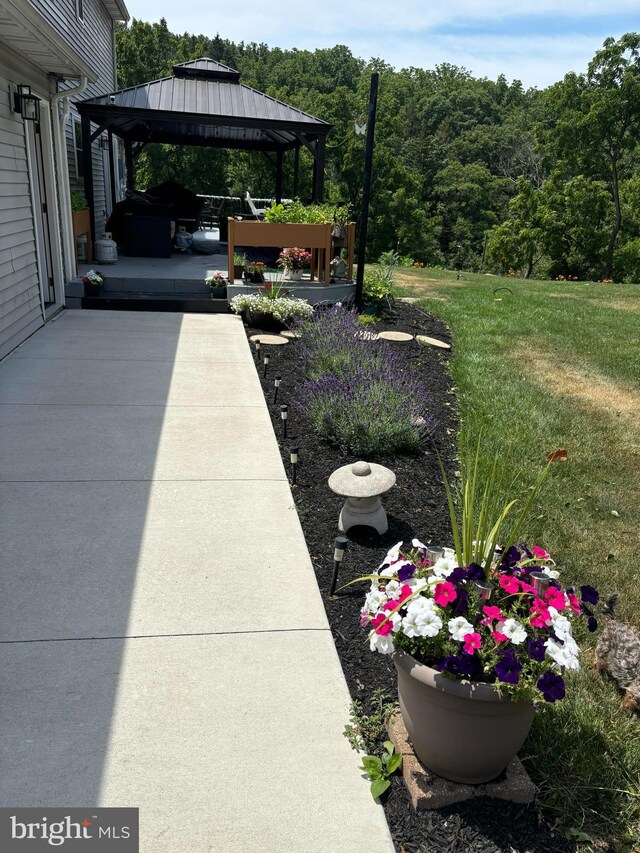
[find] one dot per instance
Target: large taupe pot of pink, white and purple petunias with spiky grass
(477, 634)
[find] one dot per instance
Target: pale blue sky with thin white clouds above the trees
(535, 41)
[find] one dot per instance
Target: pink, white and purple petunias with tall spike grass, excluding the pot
(480, 612)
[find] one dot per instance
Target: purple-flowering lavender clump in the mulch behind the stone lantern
(357, 393)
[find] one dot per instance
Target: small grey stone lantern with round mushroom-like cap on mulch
(362, 484)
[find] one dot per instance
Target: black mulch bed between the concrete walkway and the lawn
(416, 506)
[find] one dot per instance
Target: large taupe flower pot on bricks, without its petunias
(462, 731)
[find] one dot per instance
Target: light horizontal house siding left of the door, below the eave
(20, 304)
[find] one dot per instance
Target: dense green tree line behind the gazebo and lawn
(469, 173)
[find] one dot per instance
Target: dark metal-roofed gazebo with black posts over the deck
(202, 103)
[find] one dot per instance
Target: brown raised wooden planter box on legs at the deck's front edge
(316, 238)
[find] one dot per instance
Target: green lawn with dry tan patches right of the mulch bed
(555, 365)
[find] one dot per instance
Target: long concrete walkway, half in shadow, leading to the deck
(164, 644)
